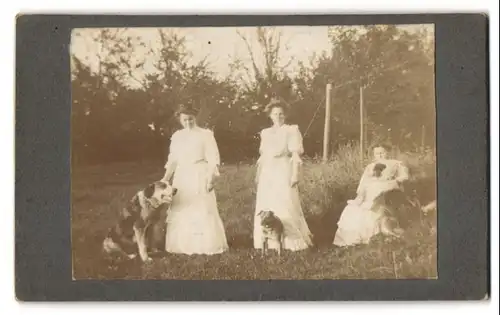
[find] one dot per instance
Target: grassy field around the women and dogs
(99, 192)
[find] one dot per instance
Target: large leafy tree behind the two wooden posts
(394, 67)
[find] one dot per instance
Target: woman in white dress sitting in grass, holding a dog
(357, 224)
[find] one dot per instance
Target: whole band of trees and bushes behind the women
(117, 116)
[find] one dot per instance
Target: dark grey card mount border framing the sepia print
(43, 262)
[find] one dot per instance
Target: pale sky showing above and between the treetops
(220, 45)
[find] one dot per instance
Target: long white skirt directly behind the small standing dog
(274, 193)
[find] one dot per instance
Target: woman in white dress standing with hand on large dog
(193, 222)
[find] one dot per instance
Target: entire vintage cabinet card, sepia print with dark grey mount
(259, 157)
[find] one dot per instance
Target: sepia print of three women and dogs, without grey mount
(254, 153)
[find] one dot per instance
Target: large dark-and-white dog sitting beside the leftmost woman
(130, 234)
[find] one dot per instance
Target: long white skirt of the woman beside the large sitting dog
(194, 225)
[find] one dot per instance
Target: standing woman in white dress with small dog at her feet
(277, 178)
